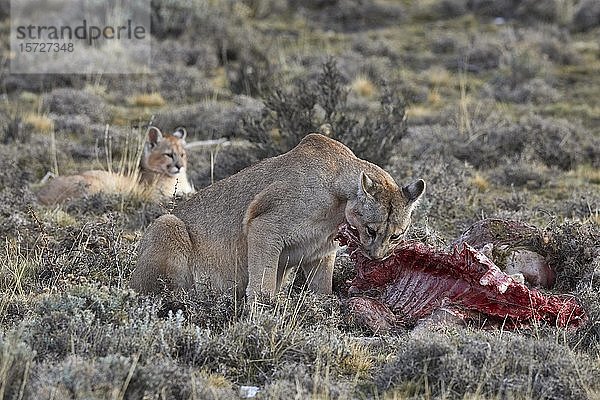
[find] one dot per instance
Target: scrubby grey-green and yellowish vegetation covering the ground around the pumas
(494, 103)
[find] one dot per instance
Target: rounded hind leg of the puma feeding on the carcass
(163, 261)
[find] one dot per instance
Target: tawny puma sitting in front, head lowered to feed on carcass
(247, 231)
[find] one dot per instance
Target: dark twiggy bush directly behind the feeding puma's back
(292, 114)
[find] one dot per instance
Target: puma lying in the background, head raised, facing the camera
(162, 170)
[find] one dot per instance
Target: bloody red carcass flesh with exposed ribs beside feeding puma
(416, 280)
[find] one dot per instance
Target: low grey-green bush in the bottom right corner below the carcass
(484, 364)
